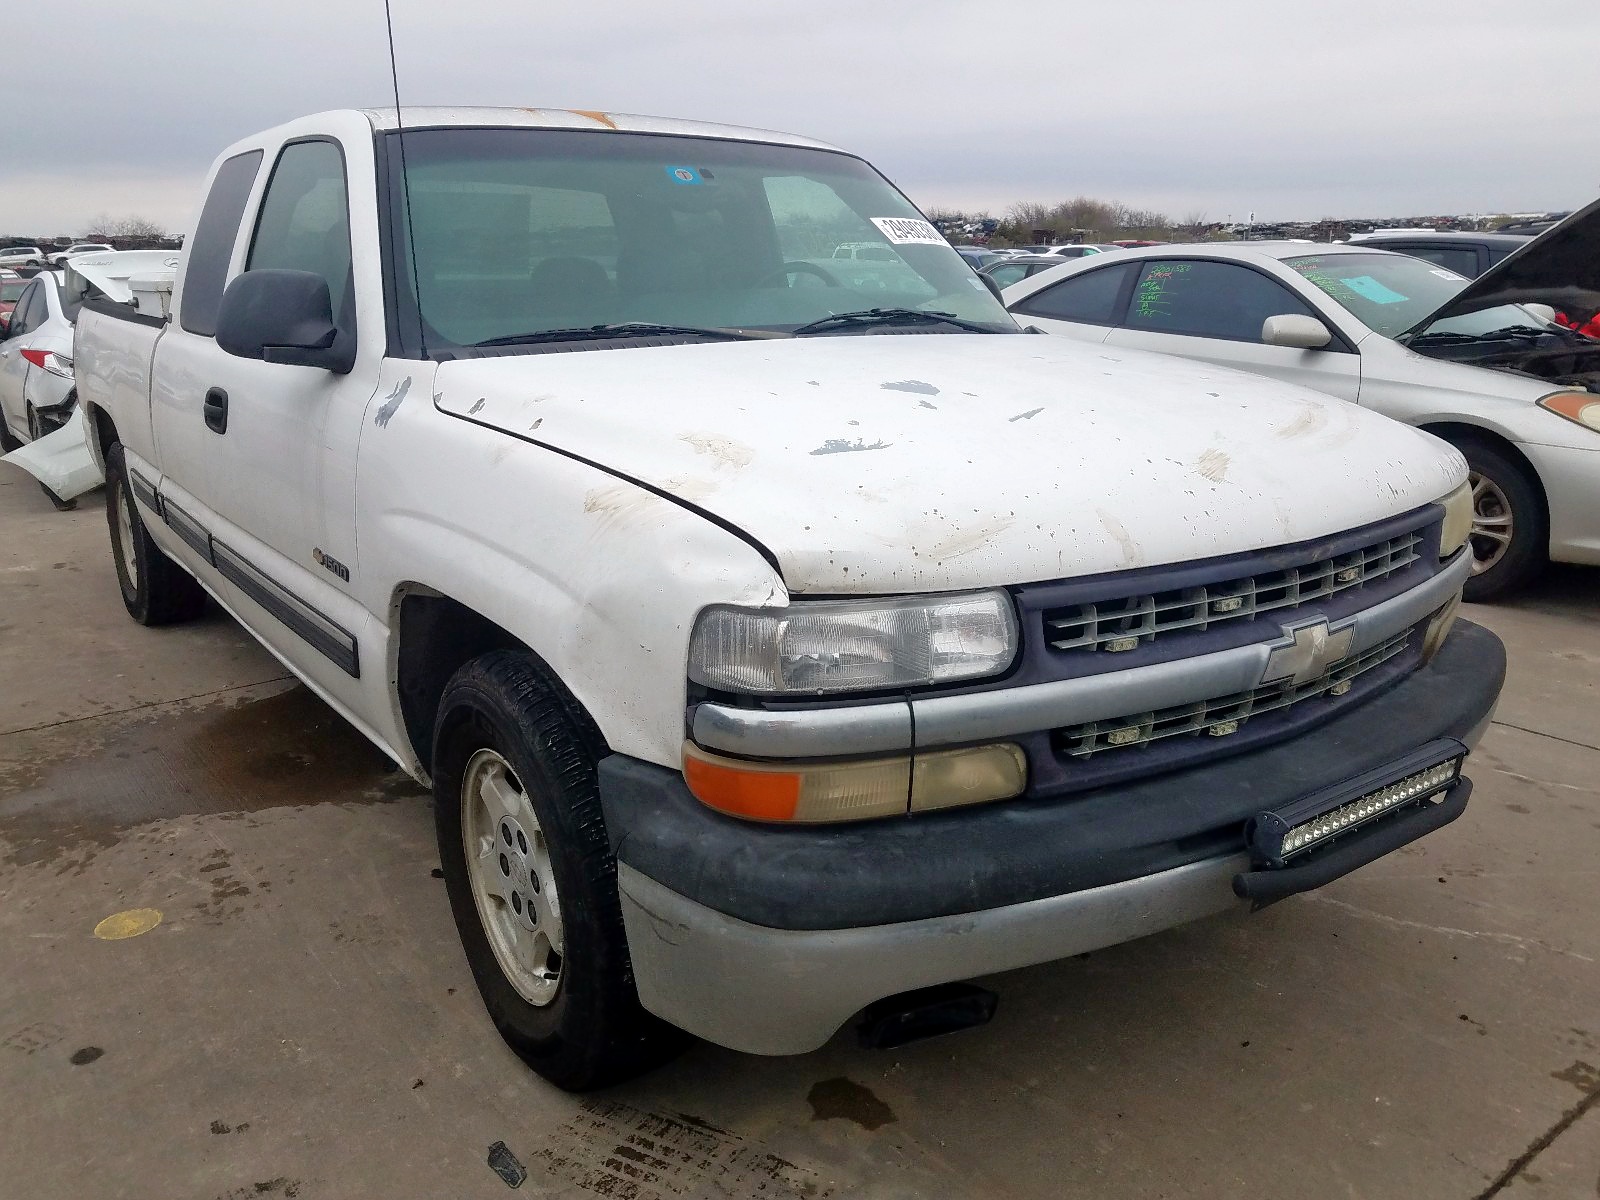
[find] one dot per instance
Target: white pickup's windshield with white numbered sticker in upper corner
(516, 233)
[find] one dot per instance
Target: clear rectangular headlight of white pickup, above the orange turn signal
(854, 646)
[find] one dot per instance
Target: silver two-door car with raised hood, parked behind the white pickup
(1511, 390)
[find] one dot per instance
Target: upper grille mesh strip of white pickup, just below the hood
(1126, 623)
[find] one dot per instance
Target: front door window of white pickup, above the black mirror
(305, 223)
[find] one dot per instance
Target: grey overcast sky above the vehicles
(1346, 108)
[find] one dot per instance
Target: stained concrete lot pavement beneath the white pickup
(302, 1022)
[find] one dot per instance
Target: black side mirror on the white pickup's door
(284, 318)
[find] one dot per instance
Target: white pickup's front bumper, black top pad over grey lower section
(769, 938)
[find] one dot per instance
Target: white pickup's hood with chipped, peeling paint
(950, 462)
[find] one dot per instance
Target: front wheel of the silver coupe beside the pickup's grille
(1511, 532)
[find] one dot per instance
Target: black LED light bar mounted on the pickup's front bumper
(1314, 822)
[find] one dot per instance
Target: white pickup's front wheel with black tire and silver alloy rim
(532, 878)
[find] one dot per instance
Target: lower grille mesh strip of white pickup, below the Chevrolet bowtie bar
(1222, 716)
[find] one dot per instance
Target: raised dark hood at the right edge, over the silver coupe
(1559, 268)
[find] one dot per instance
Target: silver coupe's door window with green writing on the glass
(1209, 300)
